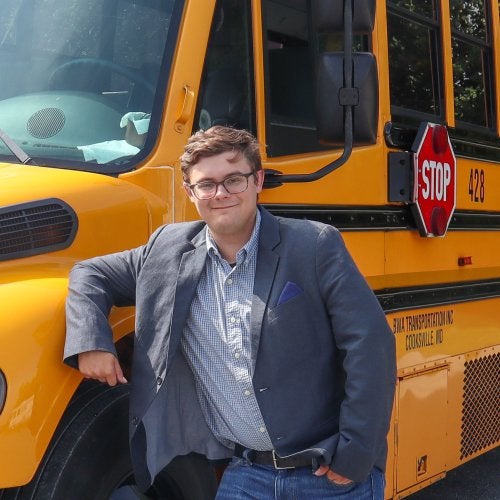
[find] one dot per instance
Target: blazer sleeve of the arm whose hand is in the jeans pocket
(367, 348)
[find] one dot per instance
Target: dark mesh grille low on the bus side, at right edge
(480, 422)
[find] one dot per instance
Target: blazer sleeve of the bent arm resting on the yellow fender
(95, 286)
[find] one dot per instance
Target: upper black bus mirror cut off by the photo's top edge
(328, 15)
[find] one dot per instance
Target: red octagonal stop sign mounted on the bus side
(434, 180)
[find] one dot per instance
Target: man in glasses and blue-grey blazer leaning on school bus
(256, 338)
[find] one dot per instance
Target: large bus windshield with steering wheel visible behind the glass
(78, 79)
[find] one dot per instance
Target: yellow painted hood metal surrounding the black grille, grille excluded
(112, 214)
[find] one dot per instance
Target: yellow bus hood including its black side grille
(55, 216)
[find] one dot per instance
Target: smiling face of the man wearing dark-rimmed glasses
(227, 215)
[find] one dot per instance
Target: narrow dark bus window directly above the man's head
(227, 91)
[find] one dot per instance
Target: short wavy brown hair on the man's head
(216, 140)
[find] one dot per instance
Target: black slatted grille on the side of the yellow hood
(37, 227)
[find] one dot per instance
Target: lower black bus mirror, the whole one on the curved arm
(331, 97)
